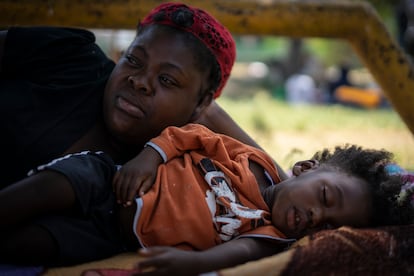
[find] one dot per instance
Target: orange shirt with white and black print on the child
(191, 210)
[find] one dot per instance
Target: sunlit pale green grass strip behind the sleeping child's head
(291, 133)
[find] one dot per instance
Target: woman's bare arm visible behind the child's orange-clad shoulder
(217, 120)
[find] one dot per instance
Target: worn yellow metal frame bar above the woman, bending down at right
(354, 21)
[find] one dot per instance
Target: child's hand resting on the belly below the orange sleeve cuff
(137, 176)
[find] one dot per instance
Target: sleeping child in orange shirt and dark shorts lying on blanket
(214, 203)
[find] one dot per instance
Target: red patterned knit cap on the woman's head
(205, 27)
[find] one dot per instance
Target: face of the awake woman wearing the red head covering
(154, 85)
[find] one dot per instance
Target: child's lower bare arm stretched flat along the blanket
(171, 261)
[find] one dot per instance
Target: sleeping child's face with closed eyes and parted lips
(320, 199)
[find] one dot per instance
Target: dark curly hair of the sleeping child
(390, 208)
